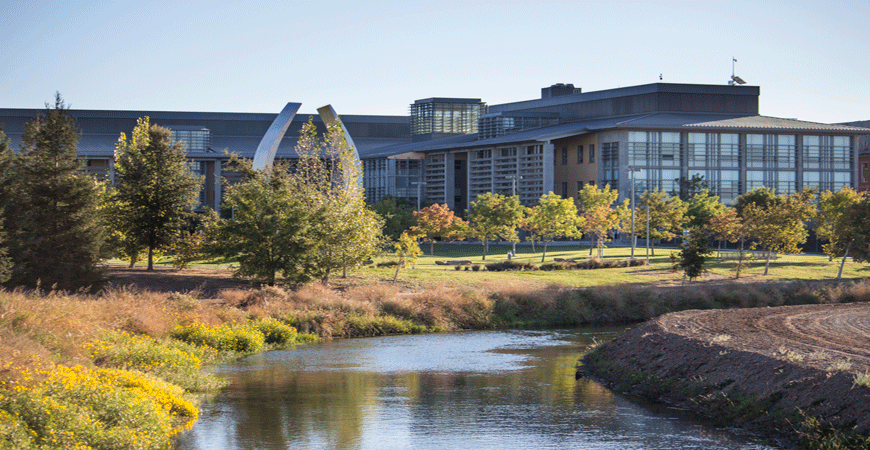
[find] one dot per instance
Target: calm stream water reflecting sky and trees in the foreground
(470, 390)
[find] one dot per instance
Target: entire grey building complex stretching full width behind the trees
(451, 150)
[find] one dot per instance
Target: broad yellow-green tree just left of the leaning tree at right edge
(781, 226)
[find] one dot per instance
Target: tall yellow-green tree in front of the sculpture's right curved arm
(328, 179)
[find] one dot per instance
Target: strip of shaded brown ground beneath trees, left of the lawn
(166, 279)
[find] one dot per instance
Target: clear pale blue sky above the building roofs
(811, 59)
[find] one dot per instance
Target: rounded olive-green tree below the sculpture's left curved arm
(267, 232)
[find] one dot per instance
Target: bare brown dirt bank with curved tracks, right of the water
(774, 370)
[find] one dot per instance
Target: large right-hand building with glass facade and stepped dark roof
(661, 132)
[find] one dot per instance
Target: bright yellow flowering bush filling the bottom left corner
(82, 408)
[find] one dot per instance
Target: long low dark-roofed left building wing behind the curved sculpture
(207, 136)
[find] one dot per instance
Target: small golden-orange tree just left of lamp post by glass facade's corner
(598, 217)
